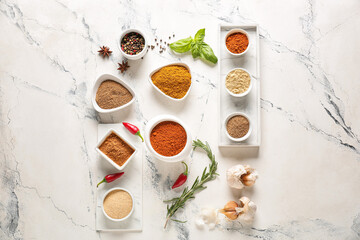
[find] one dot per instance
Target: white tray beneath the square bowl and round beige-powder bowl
(131, 180)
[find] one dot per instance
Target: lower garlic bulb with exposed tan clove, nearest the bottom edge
(244, 212)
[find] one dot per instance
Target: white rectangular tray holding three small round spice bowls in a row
(249, 104)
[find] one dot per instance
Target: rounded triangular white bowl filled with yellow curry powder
(172, 81)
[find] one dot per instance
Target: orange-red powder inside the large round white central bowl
(168, 138)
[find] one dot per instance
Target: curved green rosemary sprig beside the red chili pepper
(198, 185)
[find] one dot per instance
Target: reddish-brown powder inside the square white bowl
(116, 149)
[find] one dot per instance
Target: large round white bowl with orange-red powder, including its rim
(168, 138)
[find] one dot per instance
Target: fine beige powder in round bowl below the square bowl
(118, 204)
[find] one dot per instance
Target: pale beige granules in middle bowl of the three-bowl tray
(237, 81)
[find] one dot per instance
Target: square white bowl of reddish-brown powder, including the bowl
(115, 149)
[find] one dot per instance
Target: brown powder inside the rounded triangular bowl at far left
(111, 94)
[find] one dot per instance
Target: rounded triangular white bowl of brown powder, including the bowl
(111, 94)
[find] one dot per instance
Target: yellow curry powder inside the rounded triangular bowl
(172, 80)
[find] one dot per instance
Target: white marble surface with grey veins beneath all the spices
(309, 161)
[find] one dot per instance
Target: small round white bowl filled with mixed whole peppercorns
(132, 44)
